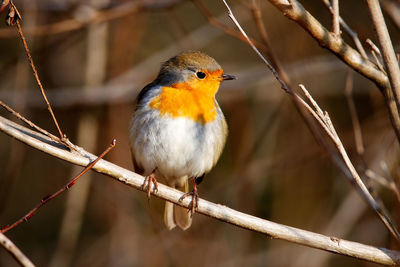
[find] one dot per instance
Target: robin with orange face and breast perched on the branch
(178, 130)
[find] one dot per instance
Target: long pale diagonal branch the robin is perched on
(217, 211)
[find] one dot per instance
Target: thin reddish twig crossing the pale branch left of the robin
(61, 190)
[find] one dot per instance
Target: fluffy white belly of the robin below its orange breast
(176, 147)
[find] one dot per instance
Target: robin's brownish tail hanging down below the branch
(176, 215)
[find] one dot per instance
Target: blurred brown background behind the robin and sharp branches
(93, 58)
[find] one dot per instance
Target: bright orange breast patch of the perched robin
(183, 100)
